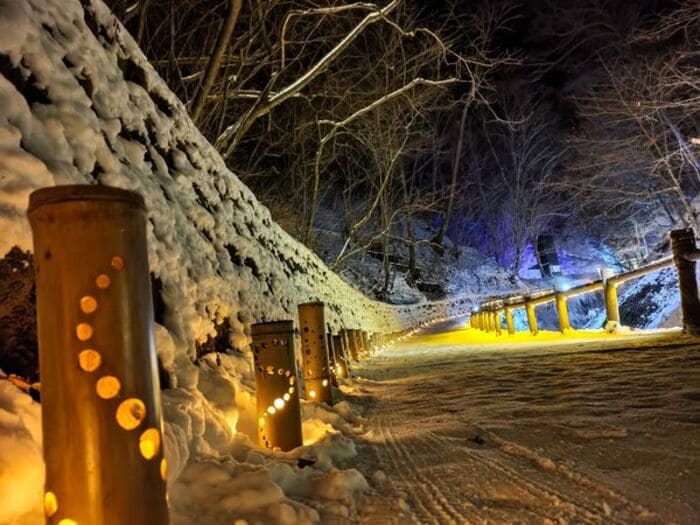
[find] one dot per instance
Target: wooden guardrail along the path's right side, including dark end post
(489, 318)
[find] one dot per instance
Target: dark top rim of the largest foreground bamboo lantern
(82, 192)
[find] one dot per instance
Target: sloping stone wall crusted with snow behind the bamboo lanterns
(79, 103)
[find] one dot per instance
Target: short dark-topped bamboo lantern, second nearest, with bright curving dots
(279, 419)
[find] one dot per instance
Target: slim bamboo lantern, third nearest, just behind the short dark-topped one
(314, 351)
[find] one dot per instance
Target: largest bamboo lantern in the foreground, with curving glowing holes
(100, 396)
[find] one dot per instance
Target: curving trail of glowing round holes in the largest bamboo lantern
(131, 412)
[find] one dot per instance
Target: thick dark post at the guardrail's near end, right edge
(684, 253)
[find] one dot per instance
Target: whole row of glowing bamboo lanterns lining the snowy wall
(101, 410)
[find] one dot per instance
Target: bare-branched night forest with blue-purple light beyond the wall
(452, 117)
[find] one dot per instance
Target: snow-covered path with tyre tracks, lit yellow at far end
(569, 431)
